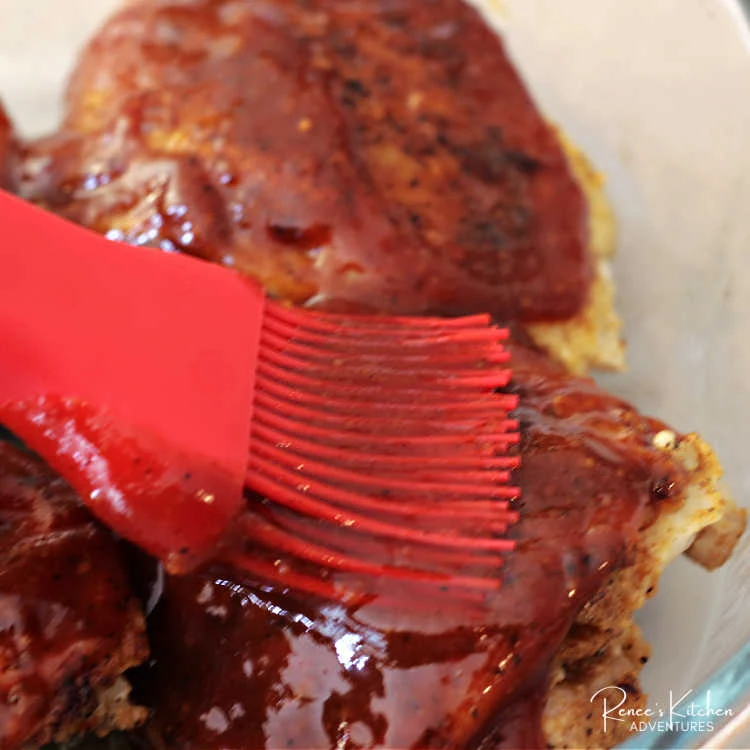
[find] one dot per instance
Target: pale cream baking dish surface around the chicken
(657, 92)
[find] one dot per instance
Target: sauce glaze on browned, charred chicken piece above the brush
(377, 152)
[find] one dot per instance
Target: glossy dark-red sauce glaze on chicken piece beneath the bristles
(245, 663)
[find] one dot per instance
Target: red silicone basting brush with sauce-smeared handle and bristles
(140, 375)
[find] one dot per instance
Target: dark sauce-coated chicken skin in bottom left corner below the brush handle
(69, 623)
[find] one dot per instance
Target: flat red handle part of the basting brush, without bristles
(149, 356)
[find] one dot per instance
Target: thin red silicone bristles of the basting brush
(380, 449)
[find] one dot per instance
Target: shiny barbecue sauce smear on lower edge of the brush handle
(174, 506)
